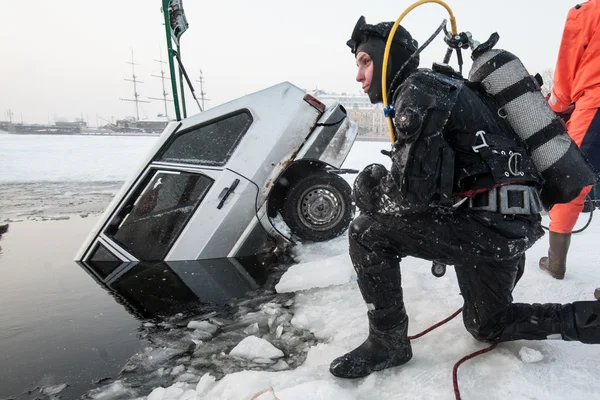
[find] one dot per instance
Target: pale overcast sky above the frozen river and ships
(67, 58)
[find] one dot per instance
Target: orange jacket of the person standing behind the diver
(577, 73)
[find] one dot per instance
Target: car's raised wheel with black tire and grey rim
(318, 207)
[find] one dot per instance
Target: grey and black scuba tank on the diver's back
(563, 167)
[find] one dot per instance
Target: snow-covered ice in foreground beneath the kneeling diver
(328, 304)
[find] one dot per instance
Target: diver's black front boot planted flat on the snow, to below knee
(387, 344)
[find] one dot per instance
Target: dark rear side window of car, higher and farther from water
(210, 144)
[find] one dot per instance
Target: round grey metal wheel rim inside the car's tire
(320, 208)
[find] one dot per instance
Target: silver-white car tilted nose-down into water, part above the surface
(214, 184)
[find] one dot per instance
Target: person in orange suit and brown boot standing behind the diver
(576, 92)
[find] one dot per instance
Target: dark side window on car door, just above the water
(150, 223)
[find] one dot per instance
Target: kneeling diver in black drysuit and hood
(463, 191)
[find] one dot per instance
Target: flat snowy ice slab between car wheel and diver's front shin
(332, 271)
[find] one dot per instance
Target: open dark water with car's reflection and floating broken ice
(87, 326)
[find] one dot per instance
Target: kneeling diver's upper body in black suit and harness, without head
(451, 143)
